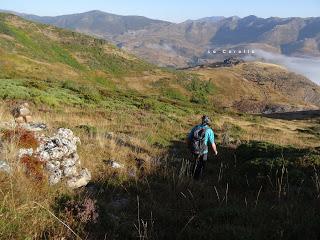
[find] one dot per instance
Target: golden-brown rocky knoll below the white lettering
(260, 87)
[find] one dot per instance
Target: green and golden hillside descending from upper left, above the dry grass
(53, 66)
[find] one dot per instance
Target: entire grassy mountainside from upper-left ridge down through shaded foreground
(101, 90)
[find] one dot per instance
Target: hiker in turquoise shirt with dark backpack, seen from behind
(200, 137)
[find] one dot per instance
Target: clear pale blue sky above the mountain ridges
(170, 10)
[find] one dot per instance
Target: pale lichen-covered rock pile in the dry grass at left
(57, 154)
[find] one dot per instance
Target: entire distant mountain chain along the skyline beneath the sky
(186, 43)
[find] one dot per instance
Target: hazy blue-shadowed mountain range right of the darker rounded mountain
(179, 44)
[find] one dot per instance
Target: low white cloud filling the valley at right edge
(307, 66)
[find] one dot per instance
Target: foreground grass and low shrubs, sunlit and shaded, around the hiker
(262, 189)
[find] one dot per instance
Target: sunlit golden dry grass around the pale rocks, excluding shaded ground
(26, 205)
